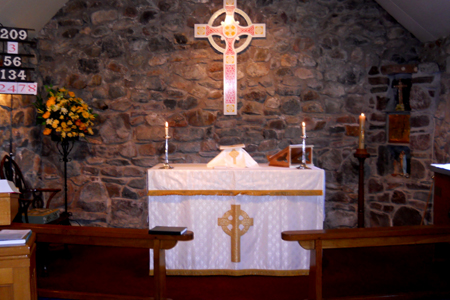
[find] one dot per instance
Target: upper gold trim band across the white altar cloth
(236, 192)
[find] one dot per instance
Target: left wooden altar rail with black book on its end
(112, 237)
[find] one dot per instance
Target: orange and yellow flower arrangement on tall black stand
(65, 116)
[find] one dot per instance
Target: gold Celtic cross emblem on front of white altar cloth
(235, 233)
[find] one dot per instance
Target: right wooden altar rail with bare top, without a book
(318, 240)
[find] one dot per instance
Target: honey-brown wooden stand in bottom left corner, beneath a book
(18, 271)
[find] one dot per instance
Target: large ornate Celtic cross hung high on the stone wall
(230, 31)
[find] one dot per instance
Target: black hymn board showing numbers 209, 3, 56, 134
(14, 74)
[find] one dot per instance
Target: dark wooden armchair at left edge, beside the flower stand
(29, 196)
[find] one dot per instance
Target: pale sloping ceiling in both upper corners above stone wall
(428, 20)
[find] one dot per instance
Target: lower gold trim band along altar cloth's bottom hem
(247, 272)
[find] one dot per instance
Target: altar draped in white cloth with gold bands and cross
(264, 201)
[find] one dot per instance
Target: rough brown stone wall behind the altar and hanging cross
(138, 64)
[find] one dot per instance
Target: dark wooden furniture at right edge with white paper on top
(441, 203)
